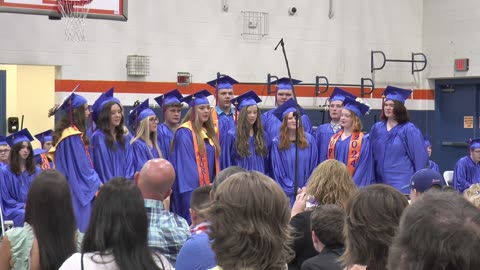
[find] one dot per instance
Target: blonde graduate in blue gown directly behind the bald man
(144, 144)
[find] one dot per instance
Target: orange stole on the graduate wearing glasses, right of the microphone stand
(353, 149)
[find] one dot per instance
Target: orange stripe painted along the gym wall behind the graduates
(163, 87)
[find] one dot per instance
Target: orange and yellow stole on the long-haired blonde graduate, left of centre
(201, 158)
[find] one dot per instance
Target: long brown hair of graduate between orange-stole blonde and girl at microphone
(243, 134)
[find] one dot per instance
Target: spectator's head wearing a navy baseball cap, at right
(424, 180)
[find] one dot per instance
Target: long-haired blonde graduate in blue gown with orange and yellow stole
(196, 152)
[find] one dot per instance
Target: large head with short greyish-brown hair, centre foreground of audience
(249, 223)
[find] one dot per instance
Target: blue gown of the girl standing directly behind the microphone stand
(283, 165)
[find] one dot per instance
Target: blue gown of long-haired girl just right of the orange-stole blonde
(230, 157)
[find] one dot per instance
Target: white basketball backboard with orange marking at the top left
(99, 9)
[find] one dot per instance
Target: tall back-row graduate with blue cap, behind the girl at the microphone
(284, 92)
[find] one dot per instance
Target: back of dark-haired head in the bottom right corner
(440, 231)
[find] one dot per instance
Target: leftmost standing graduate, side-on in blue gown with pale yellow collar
(72, 156)
